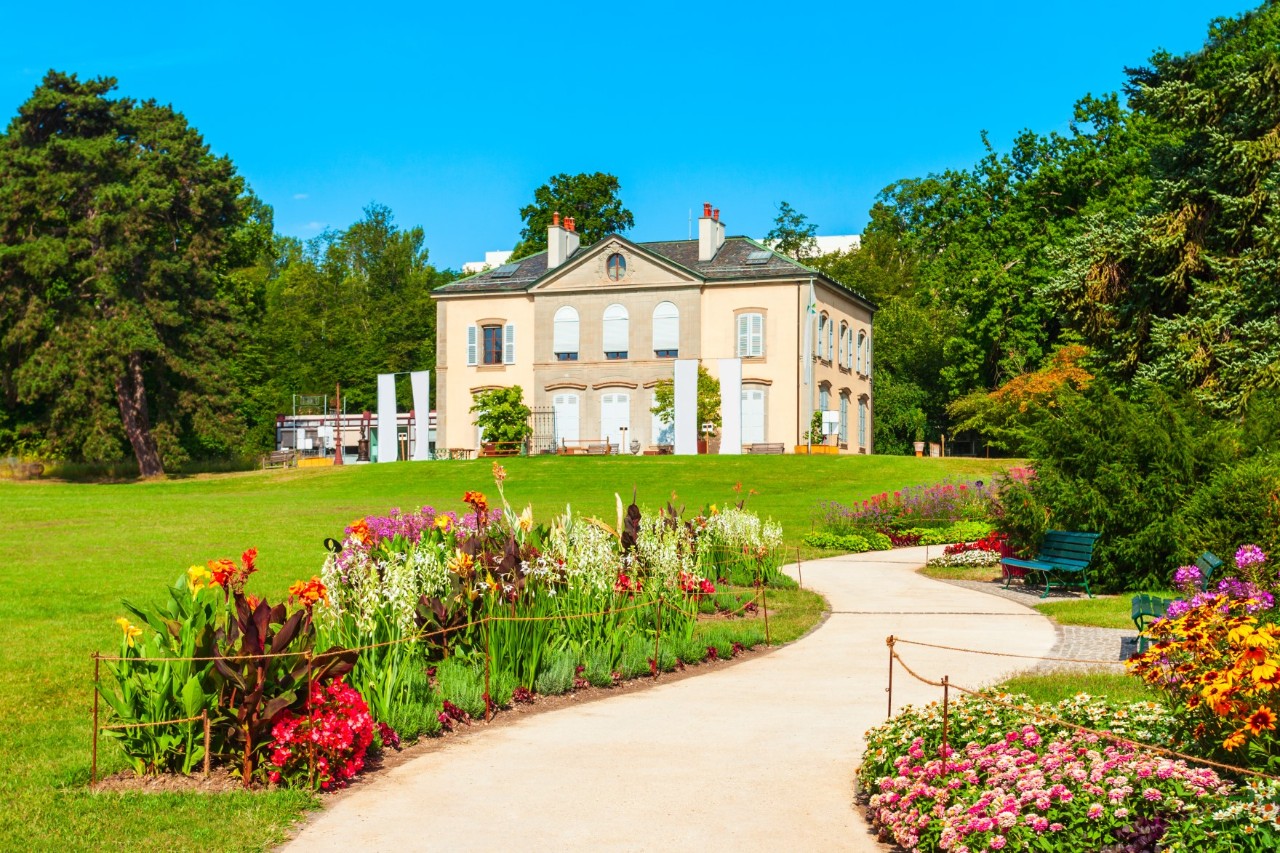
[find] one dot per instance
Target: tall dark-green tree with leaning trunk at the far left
(116, 226)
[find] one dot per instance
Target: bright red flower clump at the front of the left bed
(330, 740)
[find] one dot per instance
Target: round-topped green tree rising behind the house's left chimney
(592, 200)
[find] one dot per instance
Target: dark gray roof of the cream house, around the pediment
(729, 264)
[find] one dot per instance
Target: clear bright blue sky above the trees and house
(452, 113)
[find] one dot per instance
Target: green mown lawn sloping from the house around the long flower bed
(75, 550)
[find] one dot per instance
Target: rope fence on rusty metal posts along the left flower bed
(312, 658)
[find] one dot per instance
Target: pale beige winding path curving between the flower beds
(758, 756)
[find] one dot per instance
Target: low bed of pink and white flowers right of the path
(1005, 784)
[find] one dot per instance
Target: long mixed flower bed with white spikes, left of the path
(422, 622)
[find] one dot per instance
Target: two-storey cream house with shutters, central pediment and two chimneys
(588, 332)
